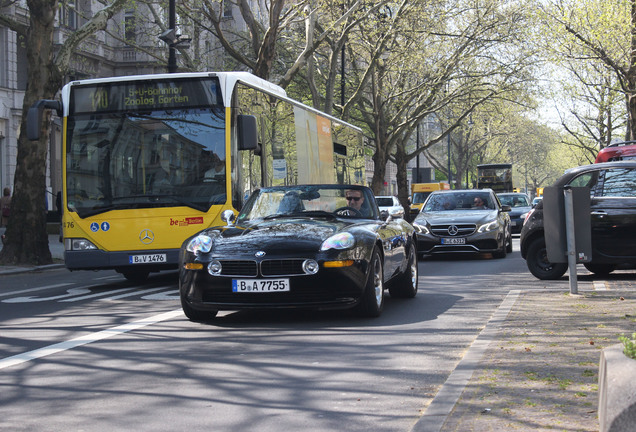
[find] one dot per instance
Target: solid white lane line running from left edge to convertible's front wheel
(86, 339)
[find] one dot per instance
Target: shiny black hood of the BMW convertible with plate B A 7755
(274, 235)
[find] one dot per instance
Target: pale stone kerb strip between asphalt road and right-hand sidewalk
(436, 413)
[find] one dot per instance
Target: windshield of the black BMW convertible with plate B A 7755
(309, 201)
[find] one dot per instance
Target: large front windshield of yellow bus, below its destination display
(174, 156)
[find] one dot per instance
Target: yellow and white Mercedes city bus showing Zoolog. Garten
(150, 160)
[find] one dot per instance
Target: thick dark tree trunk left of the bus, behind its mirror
(26, 237)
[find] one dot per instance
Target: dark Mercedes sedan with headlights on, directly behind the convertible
(450, 222)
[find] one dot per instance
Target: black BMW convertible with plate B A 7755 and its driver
(310, 246)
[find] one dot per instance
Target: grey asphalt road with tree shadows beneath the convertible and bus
(90, 351)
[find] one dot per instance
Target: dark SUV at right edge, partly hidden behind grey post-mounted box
(613, 218)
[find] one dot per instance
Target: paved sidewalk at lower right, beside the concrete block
(540, 370)
